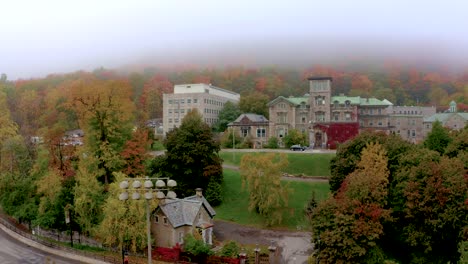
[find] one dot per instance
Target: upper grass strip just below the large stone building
(316, 164)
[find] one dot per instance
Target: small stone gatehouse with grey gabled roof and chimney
(173, 219)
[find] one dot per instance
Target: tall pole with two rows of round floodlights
(148, 188)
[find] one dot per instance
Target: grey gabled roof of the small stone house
(181, 212)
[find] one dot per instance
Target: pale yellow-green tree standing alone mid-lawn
(261, 176)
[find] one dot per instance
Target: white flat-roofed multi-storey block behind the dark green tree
(206, 98)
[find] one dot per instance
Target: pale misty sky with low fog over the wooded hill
(48, 36)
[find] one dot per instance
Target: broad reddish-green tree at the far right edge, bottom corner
(429, 203)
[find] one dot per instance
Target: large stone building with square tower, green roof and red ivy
(327, 119)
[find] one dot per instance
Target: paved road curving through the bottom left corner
(13, 251)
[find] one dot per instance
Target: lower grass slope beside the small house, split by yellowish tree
(235, 202)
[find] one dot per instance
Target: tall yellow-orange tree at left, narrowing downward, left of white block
(105, 112)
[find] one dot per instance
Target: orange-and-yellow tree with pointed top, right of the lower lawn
(348, 227)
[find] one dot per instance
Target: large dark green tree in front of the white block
(191, 158)
